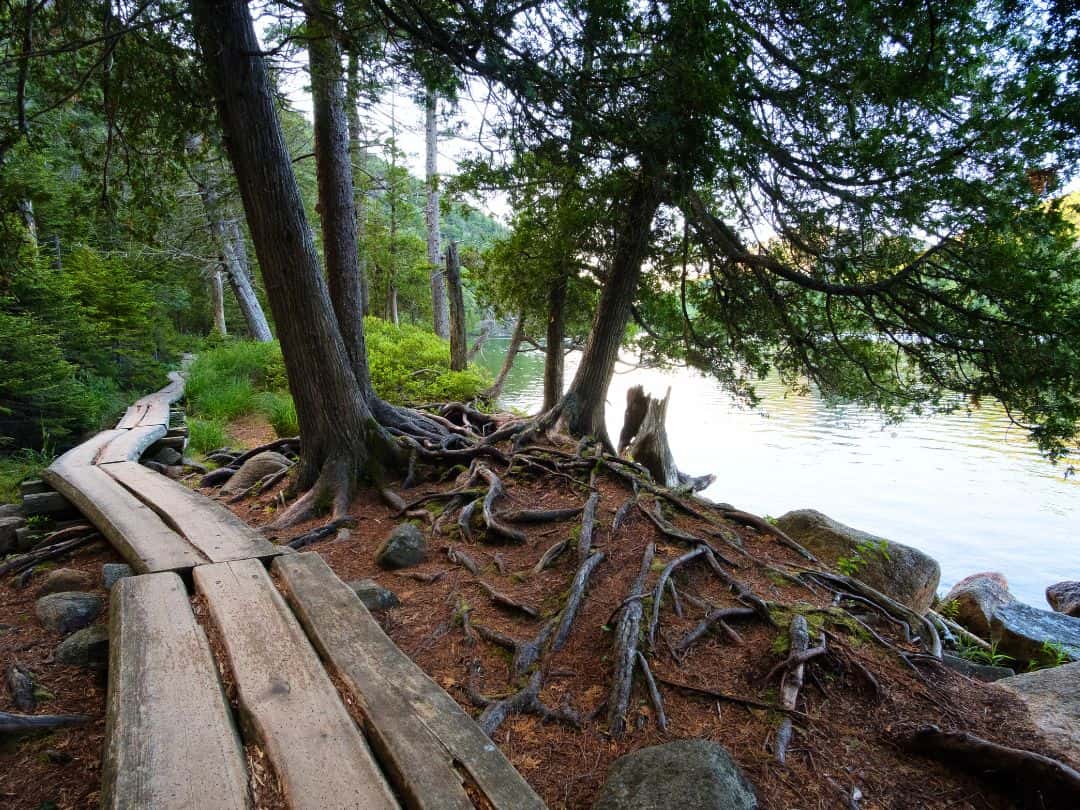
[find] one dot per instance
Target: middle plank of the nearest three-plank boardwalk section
(288, 699)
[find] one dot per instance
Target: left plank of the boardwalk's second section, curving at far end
(132, 528)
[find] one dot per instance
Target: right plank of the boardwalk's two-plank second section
(207, 524)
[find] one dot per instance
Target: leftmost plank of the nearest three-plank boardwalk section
(170, 739)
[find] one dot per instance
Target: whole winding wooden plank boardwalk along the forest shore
(299, 650)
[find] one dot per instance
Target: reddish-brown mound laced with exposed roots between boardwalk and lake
(858, 699)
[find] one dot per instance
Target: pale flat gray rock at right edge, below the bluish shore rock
(1054, 699)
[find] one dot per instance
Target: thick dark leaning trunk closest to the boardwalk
(341, 437)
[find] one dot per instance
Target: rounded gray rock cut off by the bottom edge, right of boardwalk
(688, 775)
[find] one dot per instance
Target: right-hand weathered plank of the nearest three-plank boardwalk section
(411, 720)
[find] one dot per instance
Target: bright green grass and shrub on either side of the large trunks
(238, 379)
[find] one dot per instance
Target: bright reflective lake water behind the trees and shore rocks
(968, 488)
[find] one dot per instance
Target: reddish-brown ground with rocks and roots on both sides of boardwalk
(465, 603)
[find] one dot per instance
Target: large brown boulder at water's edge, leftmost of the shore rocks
(906, 574)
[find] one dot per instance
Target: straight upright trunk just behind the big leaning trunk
(334, 170)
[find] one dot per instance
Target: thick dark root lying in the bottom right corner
(1043, 782)
